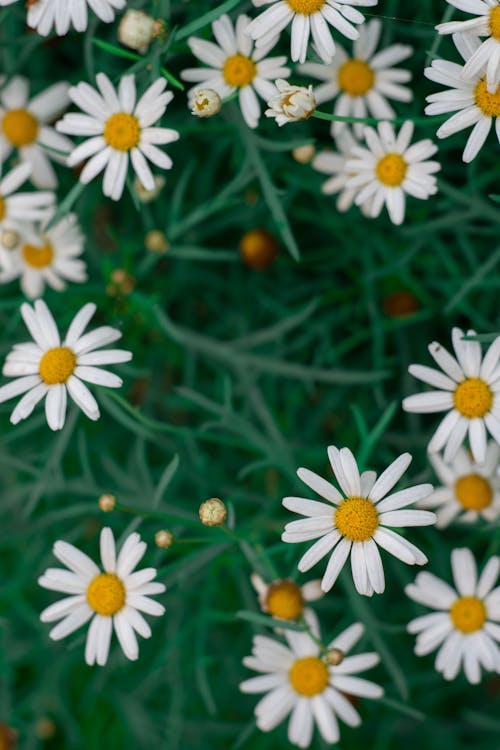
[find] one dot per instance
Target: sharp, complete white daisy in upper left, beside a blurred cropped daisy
(120, 127)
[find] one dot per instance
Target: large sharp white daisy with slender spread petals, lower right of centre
(360, 520)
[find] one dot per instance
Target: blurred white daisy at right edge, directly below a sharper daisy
(470, 490)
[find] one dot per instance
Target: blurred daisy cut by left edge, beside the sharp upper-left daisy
(24, 126)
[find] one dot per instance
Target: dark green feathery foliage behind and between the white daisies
(238, 377)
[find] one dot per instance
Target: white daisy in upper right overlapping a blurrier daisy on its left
(389, 168)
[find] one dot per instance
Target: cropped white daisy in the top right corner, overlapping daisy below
(487, 23)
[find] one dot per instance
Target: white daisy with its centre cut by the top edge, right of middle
(308, 17)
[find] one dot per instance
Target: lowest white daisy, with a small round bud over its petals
(297, 680)
